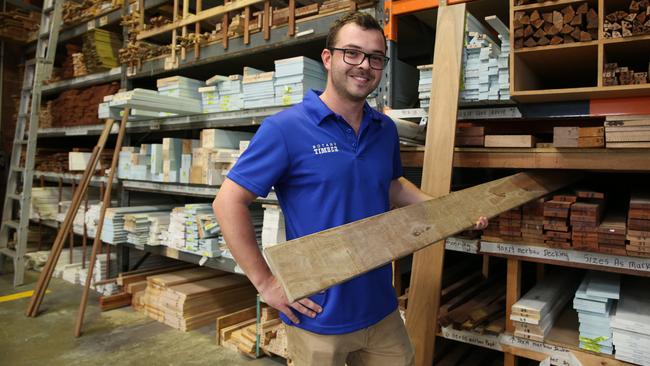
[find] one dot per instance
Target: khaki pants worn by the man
(385, 343)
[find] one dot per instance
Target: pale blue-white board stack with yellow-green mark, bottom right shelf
(595, 301)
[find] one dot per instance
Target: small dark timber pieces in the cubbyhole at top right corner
(633, 22)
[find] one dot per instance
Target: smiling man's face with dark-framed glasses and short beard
(354, 82)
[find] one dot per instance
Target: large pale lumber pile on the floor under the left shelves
(192, 298)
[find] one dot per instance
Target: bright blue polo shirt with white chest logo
(325, 176)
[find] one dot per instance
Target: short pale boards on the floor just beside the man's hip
(239, 331)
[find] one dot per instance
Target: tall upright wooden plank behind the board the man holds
(426, 274)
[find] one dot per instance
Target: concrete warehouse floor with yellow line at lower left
(116, 337)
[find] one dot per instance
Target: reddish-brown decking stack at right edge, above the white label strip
(638, 225)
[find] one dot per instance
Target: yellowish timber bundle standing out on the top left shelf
(101, 49)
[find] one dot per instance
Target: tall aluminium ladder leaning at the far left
(15, 212)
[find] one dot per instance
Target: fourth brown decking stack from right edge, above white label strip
(557, 231)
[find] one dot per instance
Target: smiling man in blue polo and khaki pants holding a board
(332, 160)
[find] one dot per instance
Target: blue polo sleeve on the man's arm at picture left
(264, 162)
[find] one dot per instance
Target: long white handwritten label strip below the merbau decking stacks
(564, 255)
